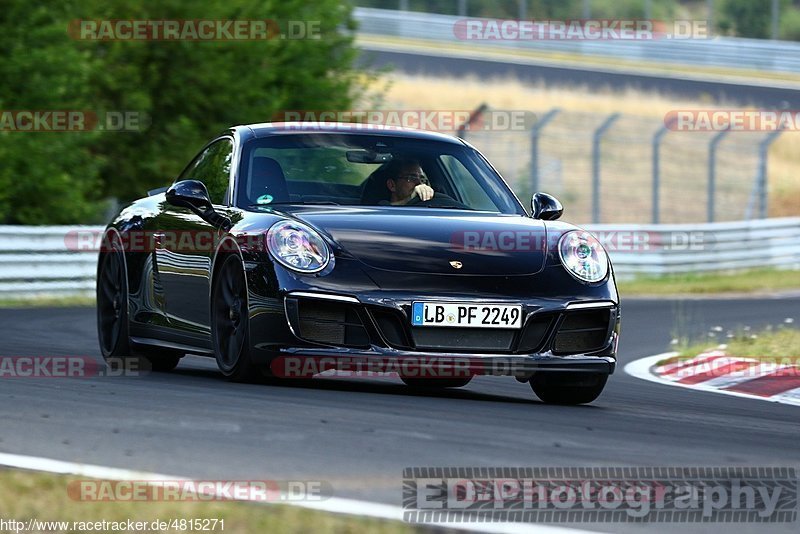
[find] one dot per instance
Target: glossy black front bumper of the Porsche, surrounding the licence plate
(280, 338)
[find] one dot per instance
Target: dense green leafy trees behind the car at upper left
(190, 91)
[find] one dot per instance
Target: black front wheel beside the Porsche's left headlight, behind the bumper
(230, 334)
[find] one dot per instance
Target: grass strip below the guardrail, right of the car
(753, 281)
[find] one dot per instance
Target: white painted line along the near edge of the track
(334, 505)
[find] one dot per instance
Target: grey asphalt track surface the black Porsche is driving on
(358, 434)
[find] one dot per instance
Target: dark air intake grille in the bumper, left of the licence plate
(331, 323)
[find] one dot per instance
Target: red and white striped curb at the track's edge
(719, 372)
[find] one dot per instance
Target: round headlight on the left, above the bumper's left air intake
(298, 247)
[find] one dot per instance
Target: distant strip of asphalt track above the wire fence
(710, 90)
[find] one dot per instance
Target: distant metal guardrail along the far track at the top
(728, 52)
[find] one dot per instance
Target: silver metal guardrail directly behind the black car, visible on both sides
(38, 261)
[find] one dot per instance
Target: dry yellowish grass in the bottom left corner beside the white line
(26, 495)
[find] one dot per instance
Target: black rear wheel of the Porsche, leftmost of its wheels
(112, 305)
